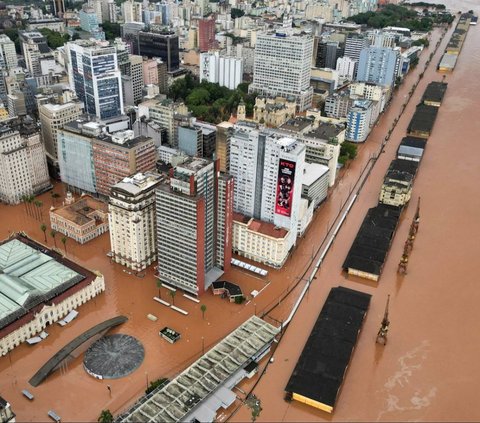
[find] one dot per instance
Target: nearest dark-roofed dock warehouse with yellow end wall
(321, 368)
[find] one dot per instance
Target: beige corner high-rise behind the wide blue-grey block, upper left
(53, 117)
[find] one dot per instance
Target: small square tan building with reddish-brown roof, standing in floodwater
(82, 220)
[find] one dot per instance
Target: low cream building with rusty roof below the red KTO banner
(259, 241)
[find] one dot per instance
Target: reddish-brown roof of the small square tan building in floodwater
(83, 211)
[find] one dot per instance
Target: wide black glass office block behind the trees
(163, 44)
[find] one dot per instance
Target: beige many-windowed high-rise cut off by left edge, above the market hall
(23, 166)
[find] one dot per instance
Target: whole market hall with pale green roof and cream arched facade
(39, 287)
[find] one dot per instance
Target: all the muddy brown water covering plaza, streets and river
(428, 370)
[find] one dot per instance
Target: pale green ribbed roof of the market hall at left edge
(30, 275)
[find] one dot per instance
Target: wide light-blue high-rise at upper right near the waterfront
(378, 65)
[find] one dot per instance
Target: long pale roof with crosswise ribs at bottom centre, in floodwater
(186, 393)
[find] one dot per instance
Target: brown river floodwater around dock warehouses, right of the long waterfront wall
(429, 369)
